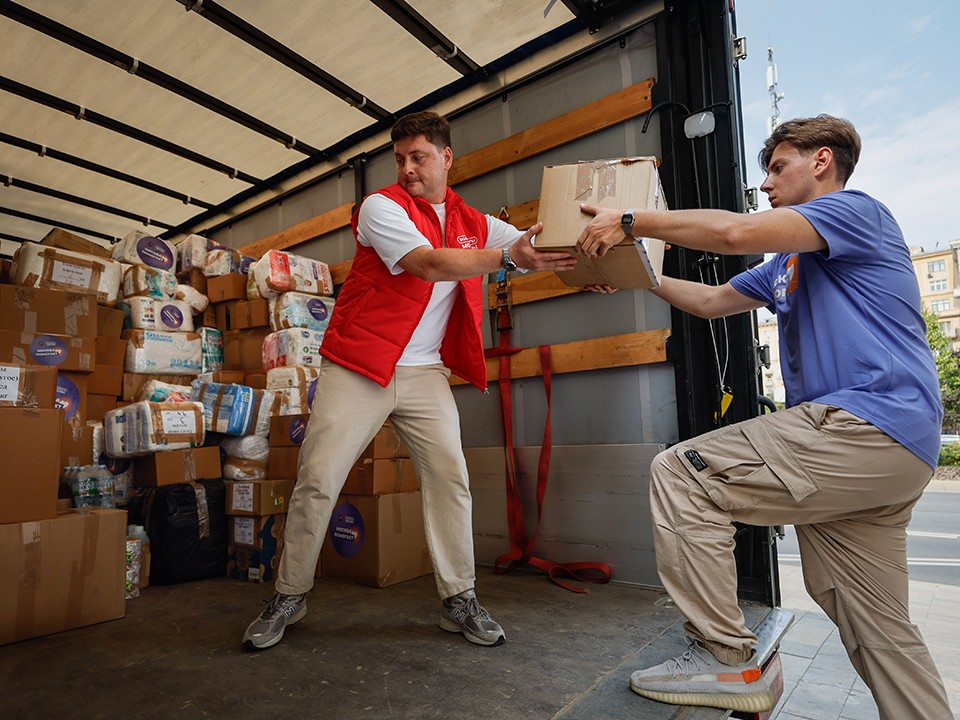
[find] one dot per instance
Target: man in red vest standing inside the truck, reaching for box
(408, 314)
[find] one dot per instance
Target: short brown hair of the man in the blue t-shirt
(810, 134)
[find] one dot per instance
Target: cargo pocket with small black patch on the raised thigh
(740, 466)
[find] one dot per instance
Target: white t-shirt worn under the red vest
(385, 226)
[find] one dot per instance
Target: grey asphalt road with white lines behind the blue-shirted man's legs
(933, 539)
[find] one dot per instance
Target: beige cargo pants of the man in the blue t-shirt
(850, 490)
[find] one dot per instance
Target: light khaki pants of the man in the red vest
(347, 411)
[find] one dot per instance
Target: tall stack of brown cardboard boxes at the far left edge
(70, 564)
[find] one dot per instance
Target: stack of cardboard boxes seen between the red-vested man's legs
(376, 534)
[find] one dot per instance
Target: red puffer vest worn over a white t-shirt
(376, 312)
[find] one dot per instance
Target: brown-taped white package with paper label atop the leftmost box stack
(50, 267)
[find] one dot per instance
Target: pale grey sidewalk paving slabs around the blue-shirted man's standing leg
(820, 682)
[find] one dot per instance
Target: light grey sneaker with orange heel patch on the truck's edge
(698, 678)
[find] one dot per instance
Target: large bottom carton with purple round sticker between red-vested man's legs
(376, 540)
